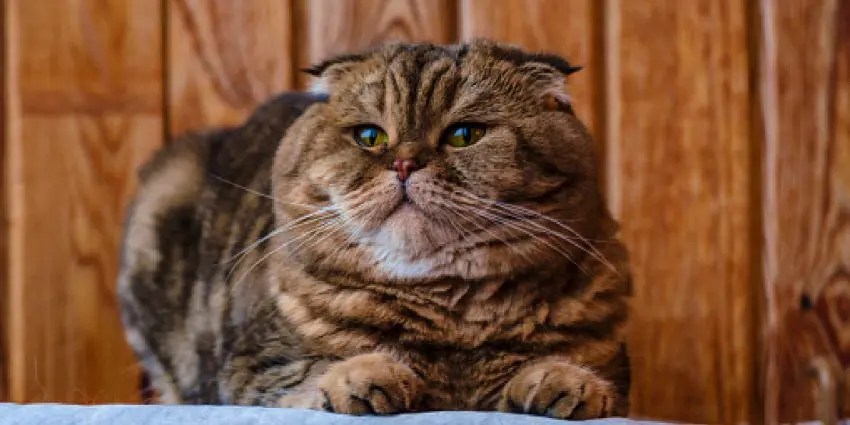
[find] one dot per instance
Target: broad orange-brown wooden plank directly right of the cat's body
(679, 175)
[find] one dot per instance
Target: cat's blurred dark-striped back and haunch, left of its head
(199, 198)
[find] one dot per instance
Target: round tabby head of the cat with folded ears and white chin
(434, 160)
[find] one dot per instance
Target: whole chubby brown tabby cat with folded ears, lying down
(424, 232)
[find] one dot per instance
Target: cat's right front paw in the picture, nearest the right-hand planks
(560, 390)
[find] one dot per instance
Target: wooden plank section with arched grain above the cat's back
(224, 58)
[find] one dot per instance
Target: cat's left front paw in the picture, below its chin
(369, 384)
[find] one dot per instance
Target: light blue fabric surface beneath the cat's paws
(56, 414)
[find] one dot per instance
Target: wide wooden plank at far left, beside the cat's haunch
(84, 110)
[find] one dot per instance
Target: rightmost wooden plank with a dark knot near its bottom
(805, 50)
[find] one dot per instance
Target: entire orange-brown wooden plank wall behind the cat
(723, 136)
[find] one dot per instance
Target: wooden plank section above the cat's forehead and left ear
(332, 27)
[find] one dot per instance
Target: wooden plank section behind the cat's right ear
(571, 29)
